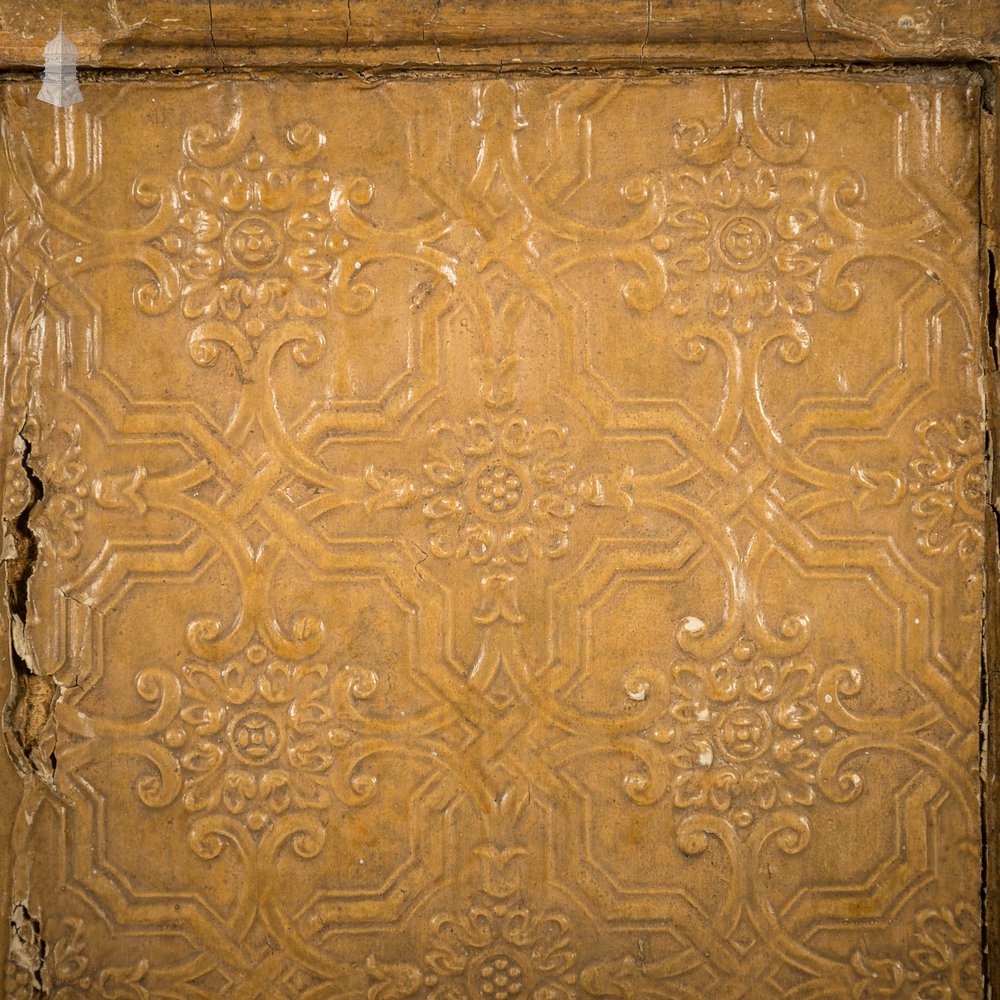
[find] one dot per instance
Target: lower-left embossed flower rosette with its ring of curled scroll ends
(261, 746)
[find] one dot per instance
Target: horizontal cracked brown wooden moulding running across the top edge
(373, 34)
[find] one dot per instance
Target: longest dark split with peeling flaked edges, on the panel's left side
(28, 717)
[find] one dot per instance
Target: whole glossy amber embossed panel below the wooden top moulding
(496, 538)
